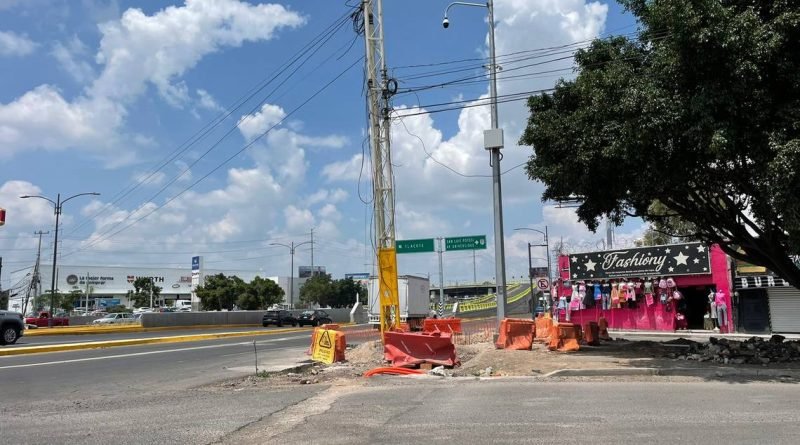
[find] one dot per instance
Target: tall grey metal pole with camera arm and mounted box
(493, 141)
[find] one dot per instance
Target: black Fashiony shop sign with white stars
(658, 261)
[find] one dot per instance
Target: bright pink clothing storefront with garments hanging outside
(658, 288)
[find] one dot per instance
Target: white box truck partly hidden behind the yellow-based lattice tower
(415, 300)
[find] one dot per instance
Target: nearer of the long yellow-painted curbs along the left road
(139, 341)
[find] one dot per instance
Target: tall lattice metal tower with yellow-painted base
(380, 89)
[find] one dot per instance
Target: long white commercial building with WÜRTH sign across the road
(109, 285)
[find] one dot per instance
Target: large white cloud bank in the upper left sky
(135, 51)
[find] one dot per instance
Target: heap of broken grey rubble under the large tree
(754, 350)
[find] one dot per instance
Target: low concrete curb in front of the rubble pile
(675, 372)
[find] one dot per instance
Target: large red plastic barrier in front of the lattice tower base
(413, 348)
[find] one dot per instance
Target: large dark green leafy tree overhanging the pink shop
(699, 113)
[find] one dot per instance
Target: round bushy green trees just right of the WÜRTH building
(223, 292)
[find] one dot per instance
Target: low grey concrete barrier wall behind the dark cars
(232, 318)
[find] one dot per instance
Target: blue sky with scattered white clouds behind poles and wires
(97, 95)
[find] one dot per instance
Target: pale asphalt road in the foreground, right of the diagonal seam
(518, 411)
